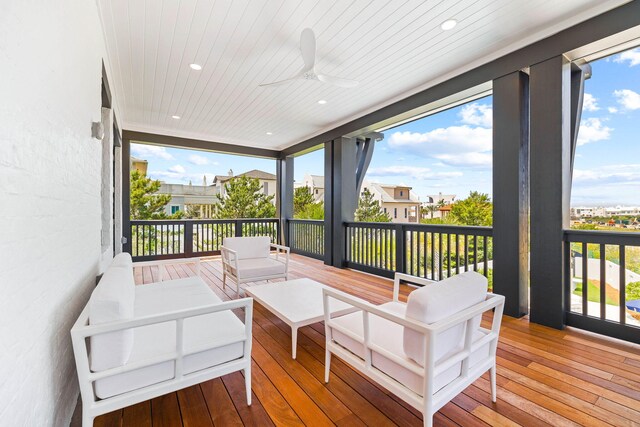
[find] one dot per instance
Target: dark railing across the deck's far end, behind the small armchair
(160, 239)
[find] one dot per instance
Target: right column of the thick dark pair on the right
(550, 176)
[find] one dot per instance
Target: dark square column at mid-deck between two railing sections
(341, 196)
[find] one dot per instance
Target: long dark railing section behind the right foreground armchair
(431, 251)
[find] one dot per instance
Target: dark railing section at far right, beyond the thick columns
(599, 269)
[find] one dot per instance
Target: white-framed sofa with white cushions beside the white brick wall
(133, 343)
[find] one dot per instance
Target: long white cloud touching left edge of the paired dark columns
(454, 146)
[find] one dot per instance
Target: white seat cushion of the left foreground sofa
(160, 339)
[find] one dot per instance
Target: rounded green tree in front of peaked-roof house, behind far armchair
(244, 198)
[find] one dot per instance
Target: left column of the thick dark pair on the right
(511, 191)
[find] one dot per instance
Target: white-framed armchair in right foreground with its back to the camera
(425, 351)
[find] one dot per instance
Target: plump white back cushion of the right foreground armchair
(439, 301)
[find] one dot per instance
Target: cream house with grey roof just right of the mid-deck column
(402, 204)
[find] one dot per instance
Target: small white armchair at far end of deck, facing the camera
(249, 259)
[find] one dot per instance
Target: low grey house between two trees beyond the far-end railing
(199, 197)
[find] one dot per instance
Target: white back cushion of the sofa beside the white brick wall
(112, 300)
